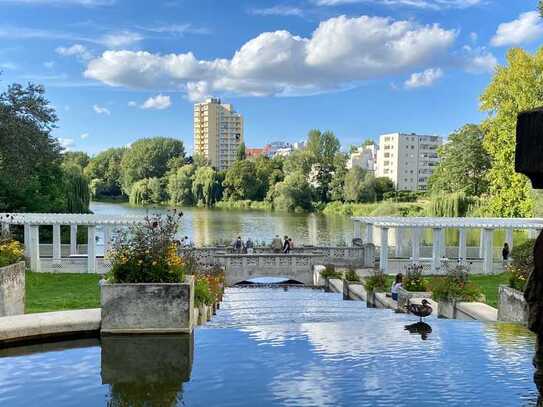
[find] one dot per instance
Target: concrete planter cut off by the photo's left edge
(12, 289)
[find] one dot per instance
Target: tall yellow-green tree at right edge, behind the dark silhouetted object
(514, 88)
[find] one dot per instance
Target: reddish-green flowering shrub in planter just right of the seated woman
(455, 286)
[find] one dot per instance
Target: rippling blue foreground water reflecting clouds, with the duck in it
(270, 347)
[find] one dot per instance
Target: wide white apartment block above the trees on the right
(407, 159)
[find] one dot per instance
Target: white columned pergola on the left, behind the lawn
(33, 221)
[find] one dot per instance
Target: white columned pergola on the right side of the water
(438, 226)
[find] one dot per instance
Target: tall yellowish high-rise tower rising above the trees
(218, 132)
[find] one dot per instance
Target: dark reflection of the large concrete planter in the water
(146, 370)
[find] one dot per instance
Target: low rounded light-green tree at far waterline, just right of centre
(294, 193)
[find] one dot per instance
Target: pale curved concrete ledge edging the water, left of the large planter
(49, 324)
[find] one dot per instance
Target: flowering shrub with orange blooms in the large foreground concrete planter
(147, 252)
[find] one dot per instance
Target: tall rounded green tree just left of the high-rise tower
(149, 158)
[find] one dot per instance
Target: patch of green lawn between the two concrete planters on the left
(55, 292)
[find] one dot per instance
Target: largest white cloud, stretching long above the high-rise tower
(341, 52)
